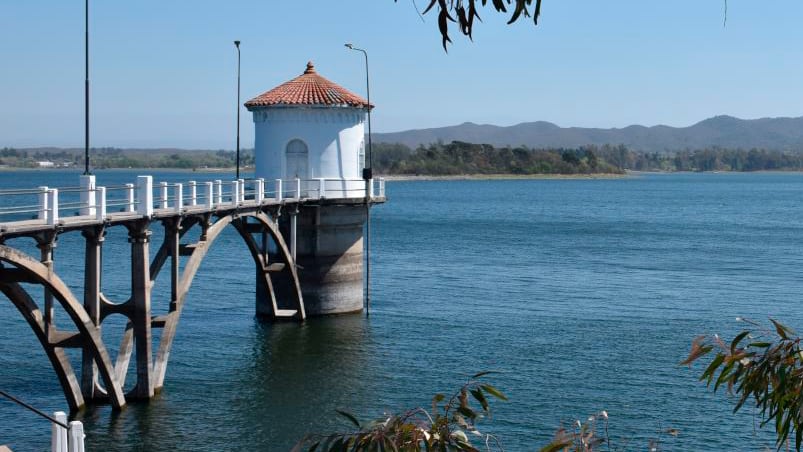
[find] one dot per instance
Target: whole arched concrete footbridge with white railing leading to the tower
(264, 213)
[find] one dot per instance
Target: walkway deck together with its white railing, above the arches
(142, 202)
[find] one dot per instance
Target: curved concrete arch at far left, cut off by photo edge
(29, 270)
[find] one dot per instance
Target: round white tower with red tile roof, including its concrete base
(312, 129)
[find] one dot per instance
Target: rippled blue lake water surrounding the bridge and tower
(583, 294)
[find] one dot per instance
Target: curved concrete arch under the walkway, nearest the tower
(199, 251)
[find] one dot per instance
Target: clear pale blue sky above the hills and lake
(164, 73)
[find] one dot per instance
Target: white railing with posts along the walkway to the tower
(144, 198)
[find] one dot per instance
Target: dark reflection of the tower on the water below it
(298, 375)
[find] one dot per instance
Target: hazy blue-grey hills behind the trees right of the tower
(785, 134)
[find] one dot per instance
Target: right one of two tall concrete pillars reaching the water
(139, 237)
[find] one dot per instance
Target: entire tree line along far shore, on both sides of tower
(440, 159)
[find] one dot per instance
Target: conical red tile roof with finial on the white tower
(308, 88)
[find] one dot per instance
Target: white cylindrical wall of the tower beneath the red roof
(333, 136)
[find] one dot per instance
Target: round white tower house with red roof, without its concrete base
(311, 128)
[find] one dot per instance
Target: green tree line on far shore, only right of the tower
(460, 157)
